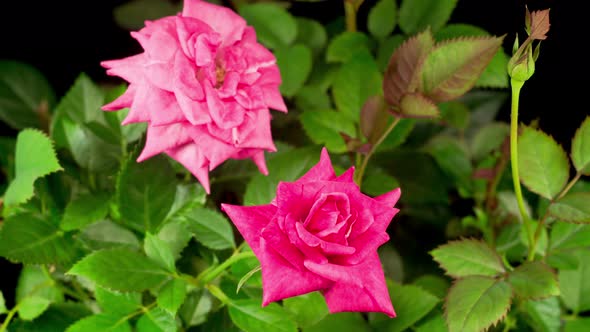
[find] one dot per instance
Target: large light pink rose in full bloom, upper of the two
(204, 85)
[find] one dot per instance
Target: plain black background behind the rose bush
(63, 38)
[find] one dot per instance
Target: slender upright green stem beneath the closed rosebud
(516, 86)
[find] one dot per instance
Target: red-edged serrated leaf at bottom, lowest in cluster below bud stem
(477, 302)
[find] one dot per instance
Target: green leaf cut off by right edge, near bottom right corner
(575, 283)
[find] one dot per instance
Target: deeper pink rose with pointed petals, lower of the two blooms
(321, 233)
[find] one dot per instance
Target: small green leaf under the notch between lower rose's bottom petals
(307, 309)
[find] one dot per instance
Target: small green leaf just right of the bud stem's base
(534, 280)
